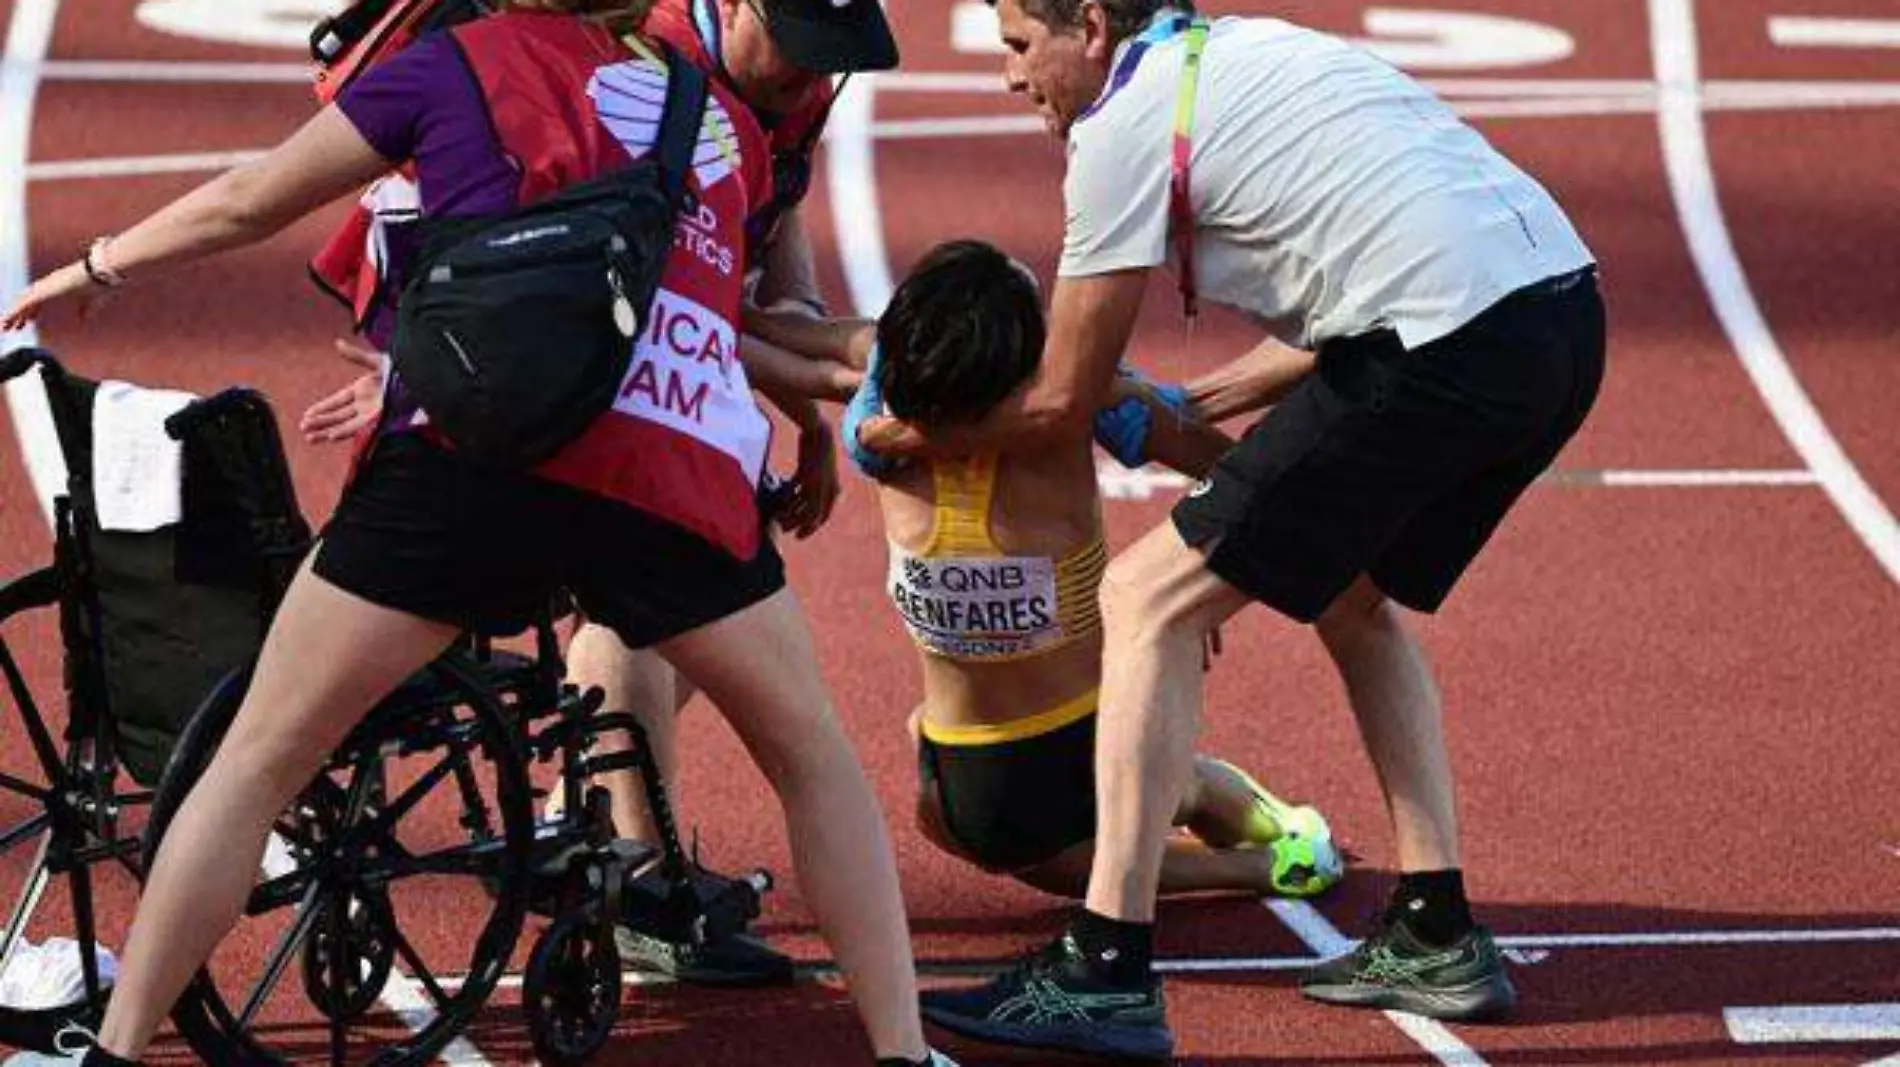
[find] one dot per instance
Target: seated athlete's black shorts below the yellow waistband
(1016, 804)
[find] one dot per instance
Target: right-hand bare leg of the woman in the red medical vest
(761, 671)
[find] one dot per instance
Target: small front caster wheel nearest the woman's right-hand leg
(573, 990)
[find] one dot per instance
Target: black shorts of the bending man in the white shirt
(1401, 464)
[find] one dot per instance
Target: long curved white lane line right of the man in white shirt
(1694, 185)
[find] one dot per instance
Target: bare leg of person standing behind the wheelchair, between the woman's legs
(643, 684)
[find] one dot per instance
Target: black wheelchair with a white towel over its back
(398, 884)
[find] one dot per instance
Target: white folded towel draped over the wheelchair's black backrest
(138, 468)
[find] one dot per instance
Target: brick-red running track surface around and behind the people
(1673, 707)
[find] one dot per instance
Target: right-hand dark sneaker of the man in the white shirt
(1394, 969)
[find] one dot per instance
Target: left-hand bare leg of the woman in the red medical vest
(328, 660)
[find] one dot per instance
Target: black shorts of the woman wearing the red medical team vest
(427, 533)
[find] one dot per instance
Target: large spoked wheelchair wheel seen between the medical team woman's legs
(373, 888)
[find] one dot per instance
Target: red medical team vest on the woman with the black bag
(685, 441)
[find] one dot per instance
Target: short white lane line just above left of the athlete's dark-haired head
(852, 181)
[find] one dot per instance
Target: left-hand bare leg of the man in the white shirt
(1158, 605)
